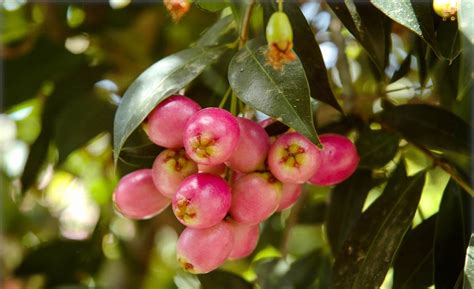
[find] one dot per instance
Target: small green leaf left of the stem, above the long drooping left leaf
(223, 31)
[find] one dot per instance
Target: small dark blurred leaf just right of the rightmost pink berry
(376, 147)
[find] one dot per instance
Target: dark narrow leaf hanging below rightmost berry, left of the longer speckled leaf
(345, 206)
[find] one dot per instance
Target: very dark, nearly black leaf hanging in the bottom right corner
(452, 235)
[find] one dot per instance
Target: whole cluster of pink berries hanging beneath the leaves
(223, 176)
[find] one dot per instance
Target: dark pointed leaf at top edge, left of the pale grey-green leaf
(368, 25)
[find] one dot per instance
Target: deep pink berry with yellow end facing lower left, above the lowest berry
(202, 200)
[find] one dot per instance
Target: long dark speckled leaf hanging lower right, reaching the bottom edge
(371, 246)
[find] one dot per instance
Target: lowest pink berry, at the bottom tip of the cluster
(203, 250)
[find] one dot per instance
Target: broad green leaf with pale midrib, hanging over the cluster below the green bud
(281, 94)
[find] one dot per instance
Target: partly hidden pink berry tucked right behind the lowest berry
(245, 239)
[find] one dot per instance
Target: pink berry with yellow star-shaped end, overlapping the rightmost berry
(293, 158)
